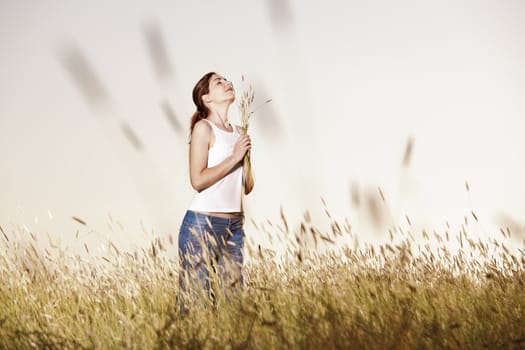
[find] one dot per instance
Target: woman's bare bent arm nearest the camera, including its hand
(201, 176)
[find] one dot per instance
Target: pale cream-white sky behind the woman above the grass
(351, 82)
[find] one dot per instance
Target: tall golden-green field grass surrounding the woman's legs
(392, 296)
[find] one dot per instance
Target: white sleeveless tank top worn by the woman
(224, 196)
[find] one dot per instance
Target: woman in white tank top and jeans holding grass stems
(211, 235)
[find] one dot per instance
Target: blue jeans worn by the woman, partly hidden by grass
(209, 247)
